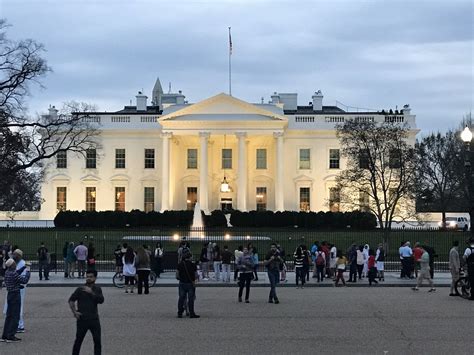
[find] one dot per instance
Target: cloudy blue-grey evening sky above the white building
(375, 54)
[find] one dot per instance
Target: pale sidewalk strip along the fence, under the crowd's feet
(167, 279)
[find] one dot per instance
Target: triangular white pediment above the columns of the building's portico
(220, 108)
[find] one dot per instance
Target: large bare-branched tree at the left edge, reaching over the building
(27, 142)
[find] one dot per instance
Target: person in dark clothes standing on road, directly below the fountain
(186, 273)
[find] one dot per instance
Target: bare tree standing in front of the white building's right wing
(380, 173)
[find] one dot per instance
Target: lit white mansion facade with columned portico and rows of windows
(168, 156)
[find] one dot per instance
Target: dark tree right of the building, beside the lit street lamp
(440, 172)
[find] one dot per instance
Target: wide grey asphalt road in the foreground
(321, 320)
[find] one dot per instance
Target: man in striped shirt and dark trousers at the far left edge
(14, 279)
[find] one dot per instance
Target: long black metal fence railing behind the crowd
(106, 241)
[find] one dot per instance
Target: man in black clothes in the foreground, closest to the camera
(83, 303)
